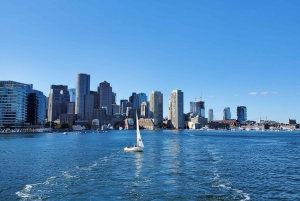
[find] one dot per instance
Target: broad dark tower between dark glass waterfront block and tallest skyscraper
(59, 98)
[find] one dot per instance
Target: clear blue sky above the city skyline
(236, 53)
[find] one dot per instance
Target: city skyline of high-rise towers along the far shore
(21, 105)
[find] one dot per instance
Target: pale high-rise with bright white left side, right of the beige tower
(176, 115)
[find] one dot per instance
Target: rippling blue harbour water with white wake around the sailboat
(175, 165)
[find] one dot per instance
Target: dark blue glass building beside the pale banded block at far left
(36, 107)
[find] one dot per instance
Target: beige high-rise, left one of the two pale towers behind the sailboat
(156, 106)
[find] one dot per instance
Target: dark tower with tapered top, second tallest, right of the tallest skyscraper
(105, 96)
